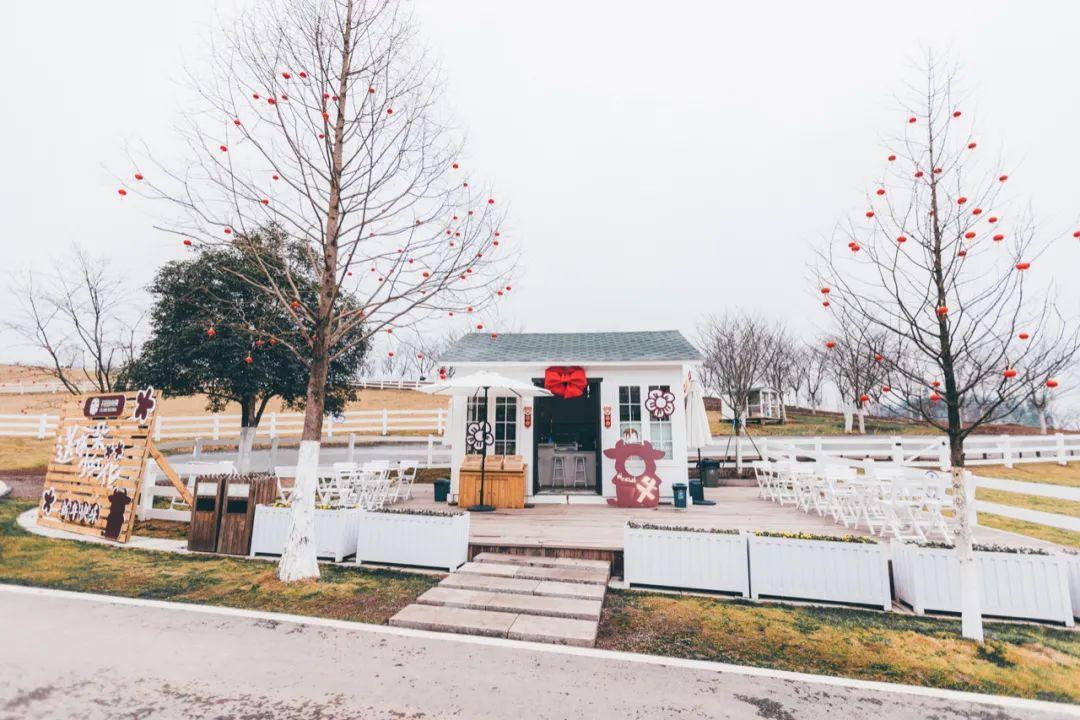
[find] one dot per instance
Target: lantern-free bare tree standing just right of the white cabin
(737, 348)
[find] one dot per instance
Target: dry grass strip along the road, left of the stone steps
(361, 595)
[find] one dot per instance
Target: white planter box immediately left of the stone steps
(428, 541)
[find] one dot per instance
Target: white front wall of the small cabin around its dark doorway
(612, 377)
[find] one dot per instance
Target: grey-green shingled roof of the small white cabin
(661, 346)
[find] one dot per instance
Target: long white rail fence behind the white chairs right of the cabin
(914, 451)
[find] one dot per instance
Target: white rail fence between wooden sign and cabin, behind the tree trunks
(291, 425)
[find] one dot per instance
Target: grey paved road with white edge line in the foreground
(64, 657)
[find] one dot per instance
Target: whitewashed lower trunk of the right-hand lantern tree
(964, 496)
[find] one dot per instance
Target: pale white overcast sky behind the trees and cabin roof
(658, 160)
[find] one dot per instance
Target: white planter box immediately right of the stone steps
(693, 561)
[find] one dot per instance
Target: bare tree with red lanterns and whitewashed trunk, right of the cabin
(940, 265)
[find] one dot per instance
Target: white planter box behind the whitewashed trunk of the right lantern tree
(1014, 586)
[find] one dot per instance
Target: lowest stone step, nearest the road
(536, 629)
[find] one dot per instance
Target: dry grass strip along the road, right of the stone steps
(1018, 660)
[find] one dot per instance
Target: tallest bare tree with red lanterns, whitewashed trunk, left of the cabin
(321, 119)
